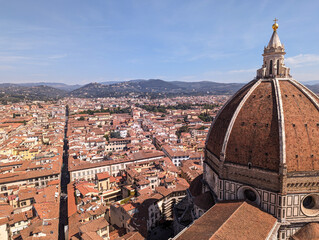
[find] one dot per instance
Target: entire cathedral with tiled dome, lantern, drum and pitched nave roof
(261, 168)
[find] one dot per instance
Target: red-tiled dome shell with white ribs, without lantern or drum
(268, 124)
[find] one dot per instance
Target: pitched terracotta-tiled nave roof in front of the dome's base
(230, 220)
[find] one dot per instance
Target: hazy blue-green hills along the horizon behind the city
(138, 88)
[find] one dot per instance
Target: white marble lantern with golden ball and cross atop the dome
(273, 64)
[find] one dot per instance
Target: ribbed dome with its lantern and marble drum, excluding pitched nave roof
(263, 146)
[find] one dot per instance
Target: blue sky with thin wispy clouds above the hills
(83, 41)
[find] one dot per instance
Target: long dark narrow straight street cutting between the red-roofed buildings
(65, 179)
